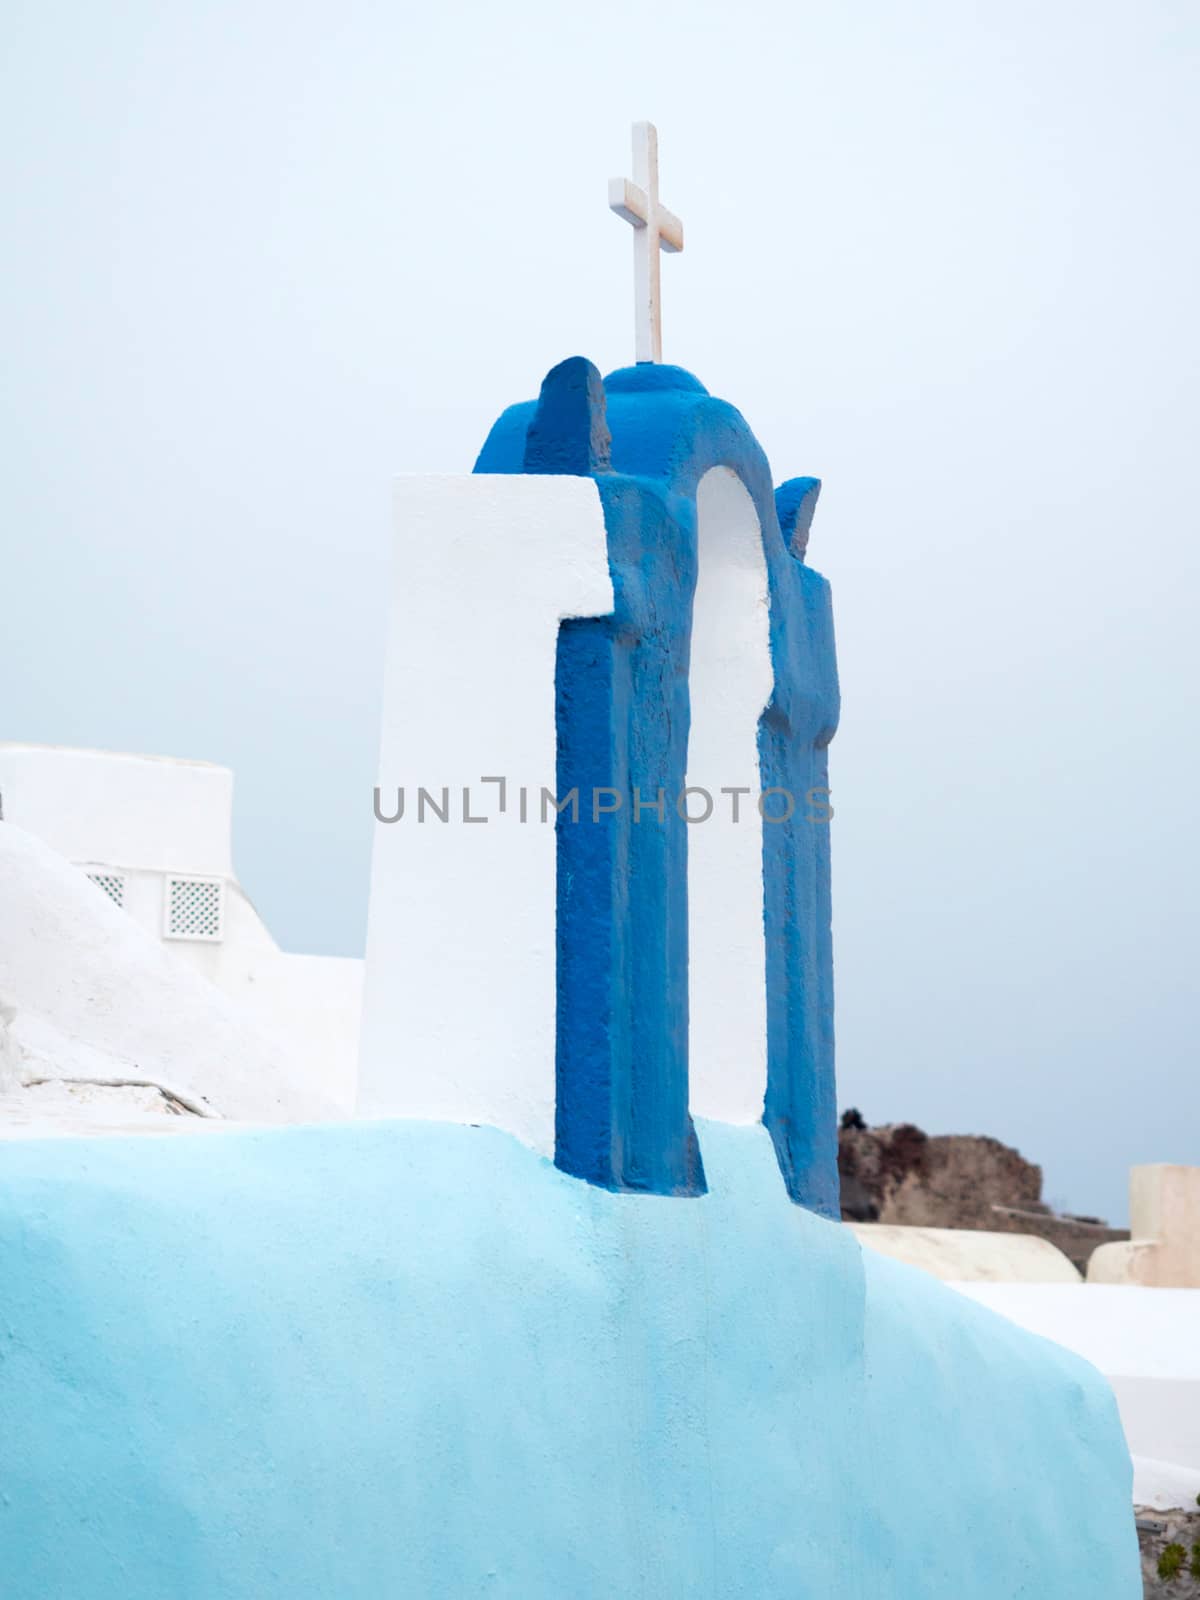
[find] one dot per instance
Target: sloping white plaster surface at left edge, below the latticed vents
(86, 993)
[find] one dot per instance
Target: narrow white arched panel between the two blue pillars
(730, 684)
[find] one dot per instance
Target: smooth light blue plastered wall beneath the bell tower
(417, 1361)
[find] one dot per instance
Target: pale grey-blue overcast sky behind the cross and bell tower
(262, 257)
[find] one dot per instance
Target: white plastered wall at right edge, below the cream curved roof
(1146, 1342)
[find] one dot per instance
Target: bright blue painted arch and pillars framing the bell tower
(649, 436)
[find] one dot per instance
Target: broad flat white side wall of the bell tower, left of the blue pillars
(460, 996)
